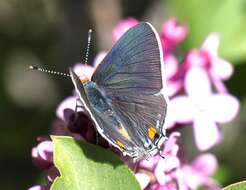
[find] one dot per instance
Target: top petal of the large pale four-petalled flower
(197, 84)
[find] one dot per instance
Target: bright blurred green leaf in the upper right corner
(227, 17)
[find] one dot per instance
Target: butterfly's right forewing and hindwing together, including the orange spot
(131, 76)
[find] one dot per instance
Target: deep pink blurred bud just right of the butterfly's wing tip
(172, 34)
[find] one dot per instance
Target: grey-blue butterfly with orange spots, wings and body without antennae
(126, 97)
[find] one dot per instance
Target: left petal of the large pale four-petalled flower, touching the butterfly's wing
(181, 109)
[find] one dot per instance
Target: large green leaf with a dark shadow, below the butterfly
(86, 166)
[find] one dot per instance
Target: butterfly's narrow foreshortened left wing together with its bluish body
(106, 121)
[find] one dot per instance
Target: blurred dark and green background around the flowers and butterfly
(53, 34)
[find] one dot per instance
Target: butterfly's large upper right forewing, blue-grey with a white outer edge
(133, 63)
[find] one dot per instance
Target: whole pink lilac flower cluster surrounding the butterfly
(198, 97)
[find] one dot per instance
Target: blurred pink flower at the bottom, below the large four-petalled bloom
(199, 171)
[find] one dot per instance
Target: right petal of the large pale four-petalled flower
(223, 107)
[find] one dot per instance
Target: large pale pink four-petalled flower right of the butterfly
(202, 107)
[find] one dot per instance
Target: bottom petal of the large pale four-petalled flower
(206, 132)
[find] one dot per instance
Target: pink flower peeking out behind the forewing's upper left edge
(122, 27)
